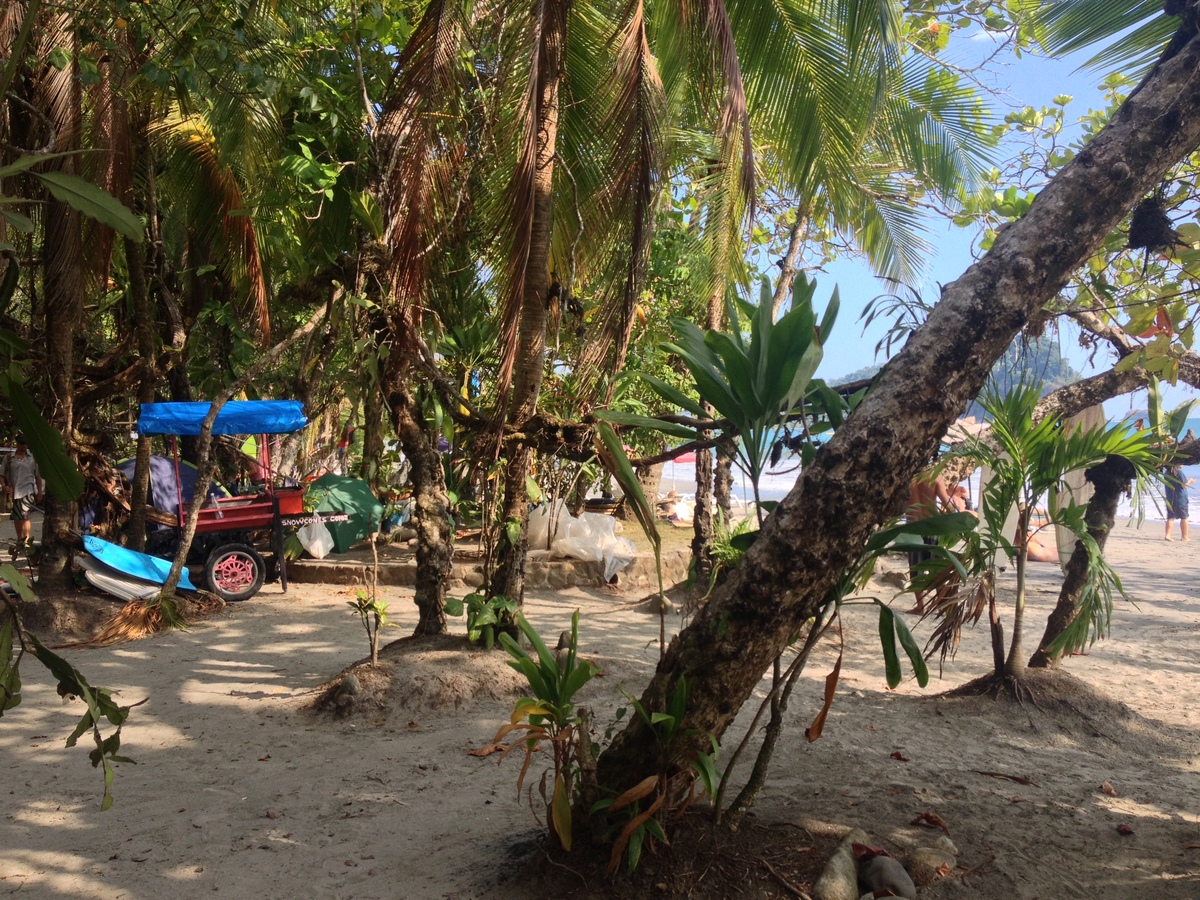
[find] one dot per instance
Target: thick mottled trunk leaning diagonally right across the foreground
(843, 496)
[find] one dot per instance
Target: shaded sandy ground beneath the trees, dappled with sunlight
(239, 791)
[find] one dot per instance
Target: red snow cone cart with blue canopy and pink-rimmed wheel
(233, 568)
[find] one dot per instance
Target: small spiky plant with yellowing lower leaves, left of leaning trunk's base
(550, 717)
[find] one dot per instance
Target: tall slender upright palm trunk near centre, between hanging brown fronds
(531, 356)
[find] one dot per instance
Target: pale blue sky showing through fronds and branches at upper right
(1029, 81)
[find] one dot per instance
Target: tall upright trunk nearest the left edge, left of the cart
(63, 254)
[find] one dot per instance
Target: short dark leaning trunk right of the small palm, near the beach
(1111, 479)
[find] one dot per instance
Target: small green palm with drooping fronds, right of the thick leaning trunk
(1029, 459)
